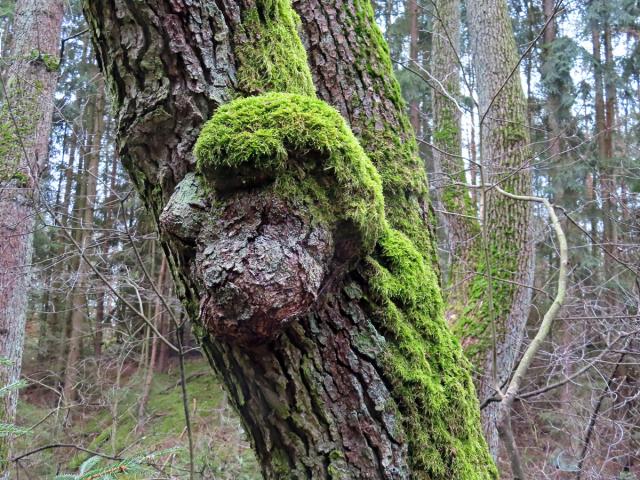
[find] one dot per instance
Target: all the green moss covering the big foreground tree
(305, 150)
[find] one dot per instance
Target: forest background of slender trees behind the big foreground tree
(98, 377)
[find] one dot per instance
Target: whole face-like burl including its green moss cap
(294, 203)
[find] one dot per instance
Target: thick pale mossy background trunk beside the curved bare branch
(507, 161)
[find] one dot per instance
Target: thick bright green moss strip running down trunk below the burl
(429, 374)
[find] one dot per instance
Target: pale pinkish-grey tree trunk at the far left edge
(26, 121)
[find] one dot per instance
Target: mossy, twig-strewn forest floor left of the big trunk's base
(107, 421)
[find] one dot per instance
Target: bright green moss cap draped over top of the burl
(305, 146)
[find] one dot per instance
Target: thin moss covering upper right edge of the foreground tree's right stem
(388, 139)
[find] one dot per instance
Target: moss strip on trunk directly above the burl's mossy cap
(271, 56)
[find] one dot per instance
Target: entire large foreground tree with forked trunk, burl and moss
(302, 251)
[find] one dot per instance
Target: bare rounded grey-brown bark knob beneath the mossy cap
(263, 263)
